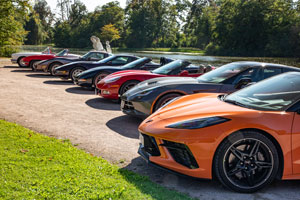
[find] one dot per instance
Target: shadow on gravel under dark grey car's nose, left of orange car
(125, 125)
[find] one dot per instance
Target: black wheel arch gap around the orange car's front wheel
(266, 134)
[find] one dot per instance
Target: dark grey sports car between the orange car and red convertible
(148, 96)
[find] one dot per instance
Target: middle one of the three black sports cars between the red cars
(69, 71)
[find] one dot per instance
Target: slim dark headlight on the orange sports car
(198, 123)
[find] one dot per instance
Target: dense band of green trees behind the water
(221, 27)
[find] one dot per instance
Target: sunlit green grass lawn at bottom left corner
(34, 166)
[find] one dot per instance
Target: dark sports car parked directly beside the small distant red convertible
(51, 64)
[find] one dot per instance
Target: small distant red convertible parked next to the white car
(29, 61)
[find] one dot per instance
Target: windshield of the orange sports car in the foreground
(273, 94)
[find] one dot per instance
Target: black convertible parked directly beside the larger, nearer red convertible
(91, 77)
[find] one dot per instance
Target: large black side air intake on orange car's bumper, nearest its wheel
(181, 154)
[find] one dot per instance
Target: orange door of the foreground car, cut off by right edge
(296, 141)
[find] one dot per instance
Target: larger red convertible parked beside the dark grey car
(118, 83)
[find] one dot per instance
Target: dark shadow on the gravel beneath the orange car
(205, 189)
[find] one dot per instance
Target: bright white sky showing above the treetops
(90, 4)
